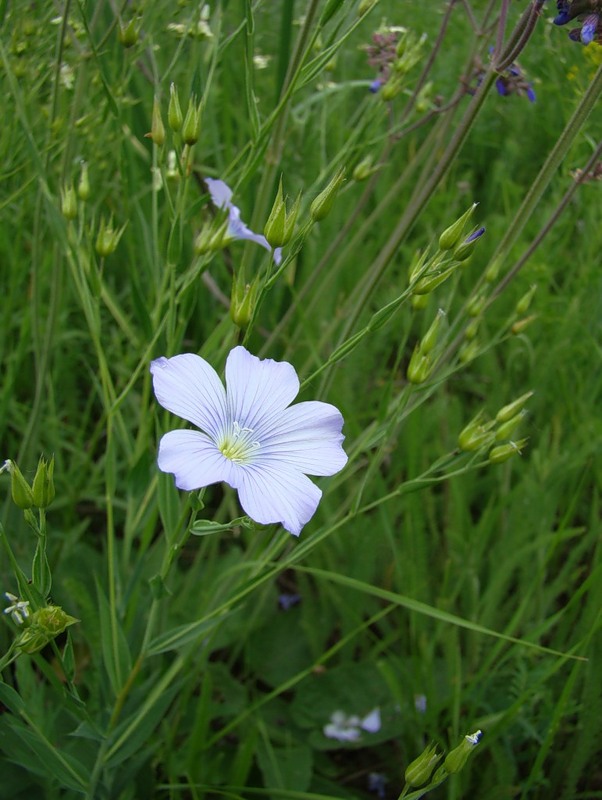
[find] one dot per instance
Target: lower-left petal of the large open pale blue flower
(193, 458)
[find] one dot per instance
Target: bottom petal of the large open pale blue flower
(277, 494)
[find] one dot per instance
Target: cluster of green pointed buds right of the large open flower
(497, 434)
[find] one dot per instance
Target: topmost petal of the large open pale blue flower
(258, 390)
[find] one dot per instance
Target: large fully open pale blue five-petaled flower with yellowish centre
(253, 439)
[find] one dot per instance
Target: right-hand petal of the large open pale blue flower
(306, 437)
